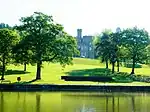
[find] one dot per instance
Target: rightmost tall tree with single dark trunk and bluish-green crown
(136, 41)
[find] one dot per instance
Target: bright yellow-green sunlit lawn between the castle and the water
(51, 73)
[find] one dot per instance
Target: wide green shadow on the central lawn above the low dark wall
(90, 72)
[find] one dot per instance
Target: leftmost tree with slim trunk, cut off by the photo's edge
(8, 39)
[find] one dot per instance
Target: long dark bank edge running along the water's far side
(53, 87)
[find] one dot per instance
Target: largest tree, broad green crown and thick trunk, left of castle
(47, 40)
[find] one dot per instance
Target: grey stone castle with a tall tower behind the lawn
(85, 45)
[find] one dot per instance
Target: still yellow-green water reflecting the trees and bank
(74, 102)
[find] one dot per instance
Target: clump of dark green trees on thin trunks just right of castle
(109, 47)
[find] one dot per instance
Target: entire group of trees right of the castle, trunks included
(131, 44)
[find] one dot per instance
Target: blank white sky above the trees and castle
(92, 16)
